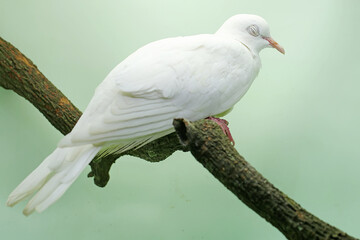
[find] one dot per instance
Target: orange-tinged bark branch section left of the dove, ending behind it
(18, 73)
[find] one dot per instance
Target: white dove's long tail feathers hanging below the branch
(52, 177)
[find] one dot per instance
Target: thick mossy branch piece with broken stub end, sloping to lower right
(215, 152)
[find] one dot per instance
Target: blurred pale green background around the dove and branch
(298, 125)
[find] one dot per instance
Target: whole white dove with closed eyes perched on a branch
(192, 77)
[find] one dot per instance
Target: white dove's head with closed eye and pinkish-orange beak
(251, 30)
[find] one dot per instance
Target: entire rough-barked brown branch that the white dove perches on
(203, 138)
